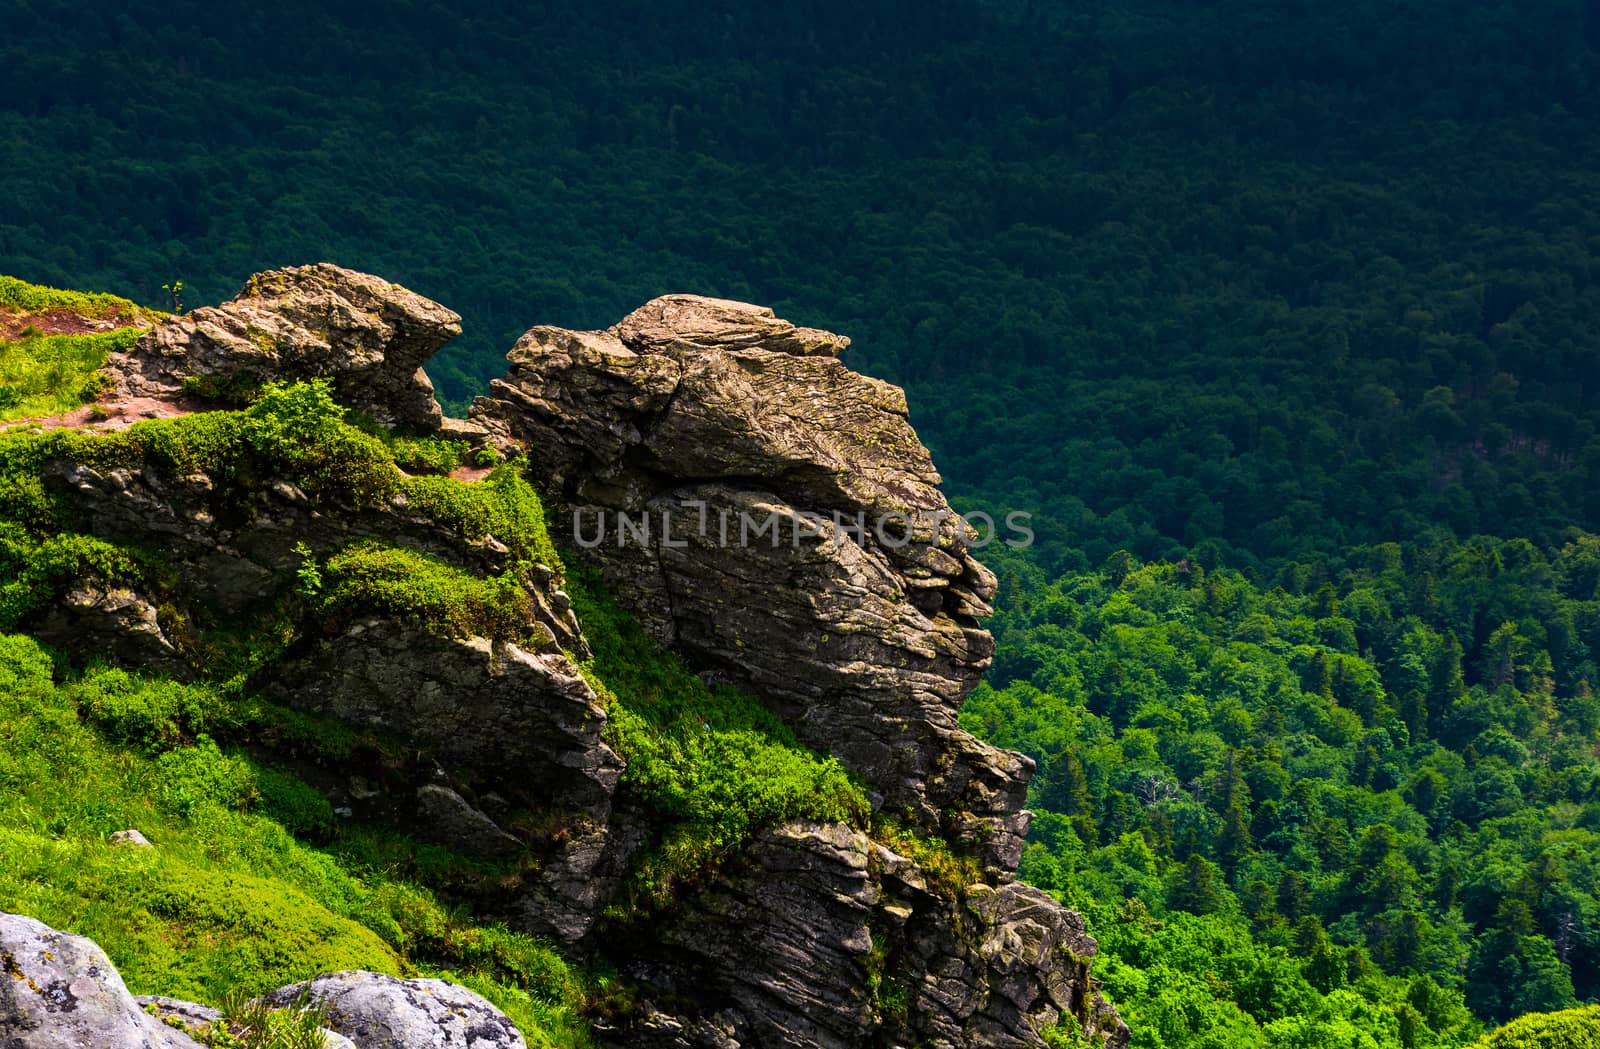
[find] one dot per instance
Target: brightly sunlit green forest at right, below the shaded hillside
(1385, 767)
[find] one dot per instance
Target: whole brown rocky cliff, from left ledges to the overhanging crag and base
(762, 511)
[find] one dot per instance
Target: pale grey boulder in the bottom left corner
(60, 992)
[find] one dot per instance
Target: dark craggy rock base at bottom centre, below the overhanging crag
(823, 939)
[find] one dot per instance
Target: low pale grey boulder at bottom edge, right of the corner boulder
(380, 1011)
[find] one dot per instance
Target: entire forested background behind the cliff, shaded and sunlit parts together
(1279, 317)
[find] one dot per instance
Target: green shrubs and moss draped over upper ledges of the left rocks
(295, 434)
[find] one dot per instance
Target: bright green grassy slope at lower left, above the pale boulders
(230, 899)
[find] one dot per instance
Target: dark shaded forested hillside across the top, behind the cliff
(1274, 277)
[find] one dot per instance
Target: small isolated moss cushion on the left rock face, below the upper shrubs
(418, 589)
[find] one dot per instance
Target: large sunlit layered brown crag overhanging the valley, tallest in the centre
(724, 436)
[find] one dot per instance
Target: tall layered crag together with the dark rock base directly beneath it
(772, 516)
